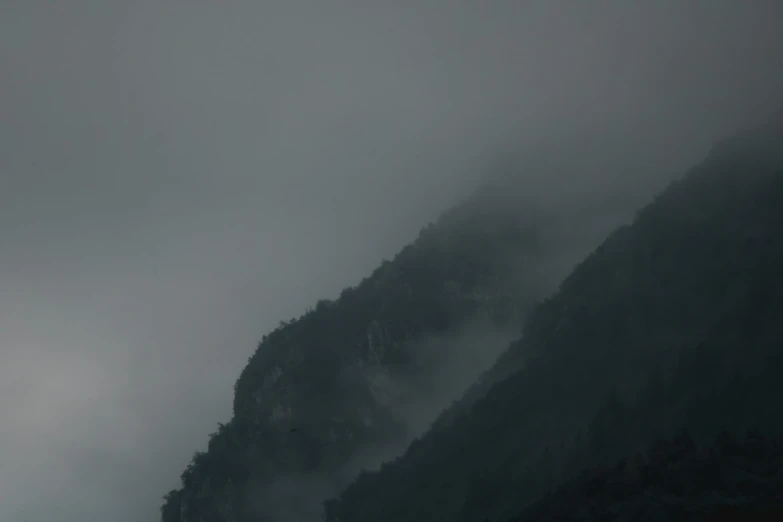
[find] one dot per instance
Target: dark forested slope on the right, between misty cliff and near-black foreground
(675, 321)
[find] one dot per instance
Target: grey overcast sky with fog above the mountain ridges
(176, 177)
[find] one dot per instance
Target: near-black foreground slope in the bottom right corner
(675, 480)
